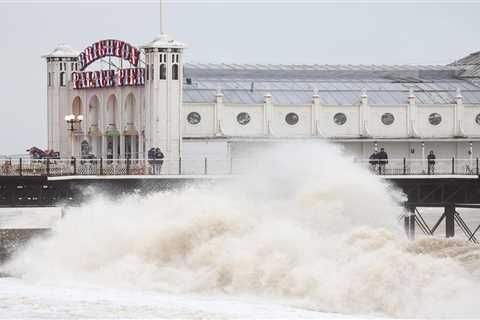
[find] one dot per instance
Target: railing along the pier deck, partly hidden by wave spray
(212, 166)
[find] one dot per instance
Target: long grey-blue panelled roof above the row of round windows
(335, 84)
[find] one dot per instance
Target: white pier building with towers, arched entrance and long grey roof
(132, 99)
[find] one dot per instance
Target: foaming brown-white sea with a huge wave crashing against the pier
(306, 233)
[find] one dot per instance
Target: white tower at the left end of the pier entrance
(61, 62)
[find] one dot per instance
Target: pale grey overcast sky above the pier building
(239, 32)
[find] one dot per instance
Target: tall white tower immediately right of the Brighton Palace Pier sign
(163, 98)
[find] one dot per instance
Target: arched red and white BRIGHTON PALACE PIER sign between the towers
(109, 78)
